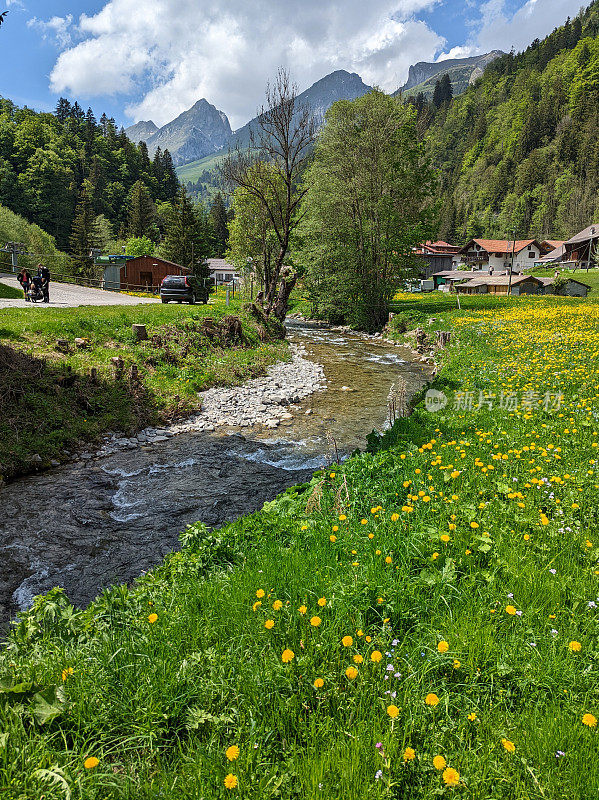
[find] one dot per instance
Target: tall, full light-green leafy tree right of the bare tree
(369, 203)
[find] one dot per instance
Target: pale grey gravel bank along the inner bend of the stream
(265, 401)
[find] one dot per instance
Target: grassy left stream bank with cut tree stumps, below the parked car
(43, 414)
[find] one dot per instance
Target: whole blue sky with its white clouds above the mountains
(151, 59)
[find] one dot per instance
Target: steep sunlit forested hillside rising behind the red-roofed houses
(520, 148)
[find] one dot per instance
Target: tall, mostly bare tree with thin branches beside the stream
(270, 170)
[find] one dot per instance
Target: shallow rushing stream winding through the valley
(85, 526)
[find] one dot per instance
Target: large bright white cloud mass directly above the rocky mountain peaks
(169, 53)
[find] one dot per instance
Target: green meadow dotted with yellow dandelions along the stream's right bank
(475, 528)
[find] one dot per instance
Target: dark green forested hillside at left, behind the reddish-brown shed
(57, 167)
